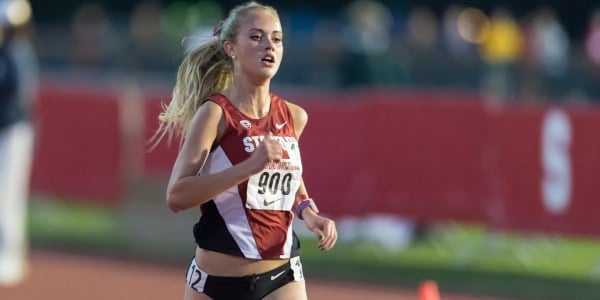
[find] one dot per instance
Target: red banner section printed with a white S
(547, 166)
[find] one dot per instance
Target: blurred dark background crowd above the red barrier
(515, 50)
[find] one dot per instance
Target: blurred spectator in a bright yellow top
(500, 50)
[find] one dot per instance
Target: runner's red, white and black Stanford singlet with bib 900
(254, 218)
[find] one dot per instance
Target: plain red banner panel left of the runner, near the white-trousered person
(77, 152)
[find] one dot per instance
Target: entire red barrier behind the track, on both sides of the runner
(423, 155)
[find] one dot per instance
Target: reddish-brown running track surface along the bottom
(56, 276)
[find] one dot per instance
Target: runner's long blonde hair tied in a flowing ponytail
(203, 72)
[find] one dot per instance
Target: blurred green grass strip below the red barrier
(461, 258)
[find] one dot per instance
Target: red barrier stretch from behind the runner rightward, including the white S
(432, 157)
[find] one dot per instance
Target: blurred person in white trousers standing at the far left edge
(18, 88)
